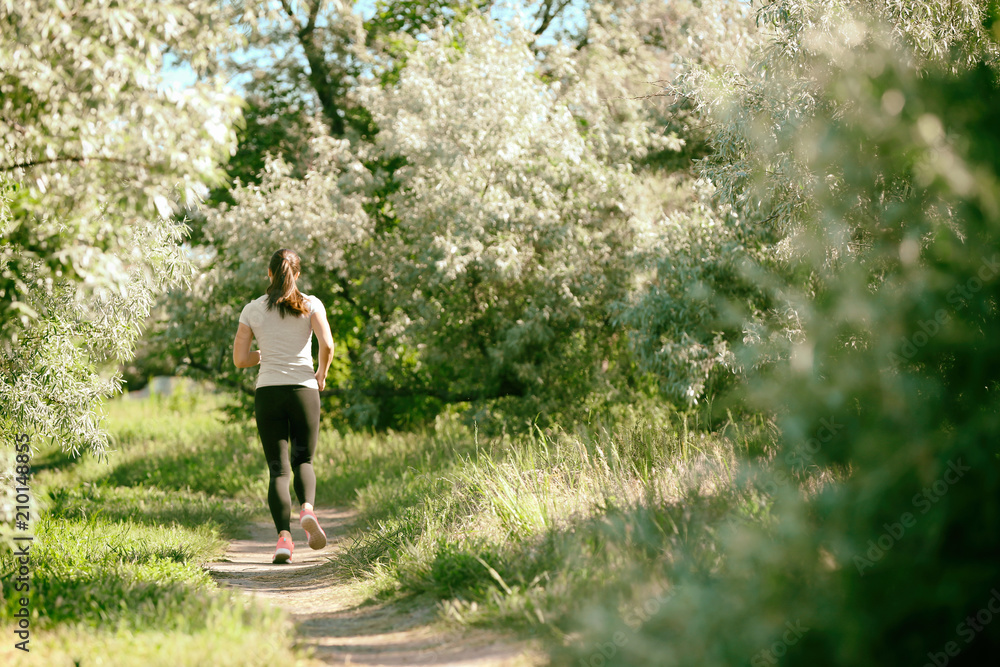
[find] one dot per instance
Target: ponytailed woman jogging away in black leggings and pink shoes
(286, 400)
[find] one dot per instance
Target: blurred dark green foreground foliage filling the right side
(874, 150)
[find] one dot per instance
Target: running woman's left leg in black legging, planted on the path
(271, 408)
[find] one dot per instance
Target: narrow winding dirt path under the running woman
(333, 619)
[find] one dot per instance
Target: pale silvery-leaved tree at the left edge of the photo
(96, 155)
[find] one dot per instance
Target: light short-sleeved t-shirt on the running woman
(285, 343)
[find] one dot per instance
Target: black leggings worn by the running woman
(288, 419)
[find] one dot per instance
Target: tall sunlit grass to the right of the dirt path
(522, 530)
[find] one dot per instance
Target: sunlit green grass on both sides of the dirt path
(541, 533)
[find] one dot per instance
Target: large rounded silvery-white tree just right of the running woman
(512, 229)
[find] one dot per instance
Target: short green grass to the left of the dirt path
(119, 545)
